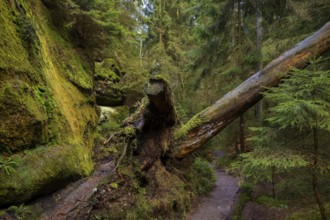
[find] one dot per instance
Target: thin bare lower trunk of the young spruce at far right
(315, 178)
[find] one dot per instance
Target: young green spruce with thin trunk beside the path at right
(302, 104)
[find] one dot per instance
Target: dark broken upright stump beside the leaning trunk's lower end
(158, 118)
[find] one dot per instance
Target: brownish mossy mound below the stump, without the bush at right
(164, 197)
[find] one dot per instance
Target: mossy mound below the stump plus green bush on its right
(165, 195)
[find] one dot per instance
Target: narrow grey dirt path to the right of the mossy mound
(220, 202)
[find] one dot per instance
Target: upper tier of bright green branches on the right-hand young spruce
(303, 99)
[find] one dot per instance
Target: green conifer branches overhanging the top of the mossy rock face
(99, 27)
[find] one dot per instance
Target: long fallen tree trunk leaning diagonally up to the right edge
(212, 120)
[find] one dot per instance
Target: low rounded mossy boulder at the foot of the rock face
(42, 170)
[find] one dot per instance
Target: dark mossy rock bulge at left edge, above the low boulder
(23, 120)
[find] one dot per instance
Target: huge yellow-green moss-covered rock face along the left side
(46, 107)
